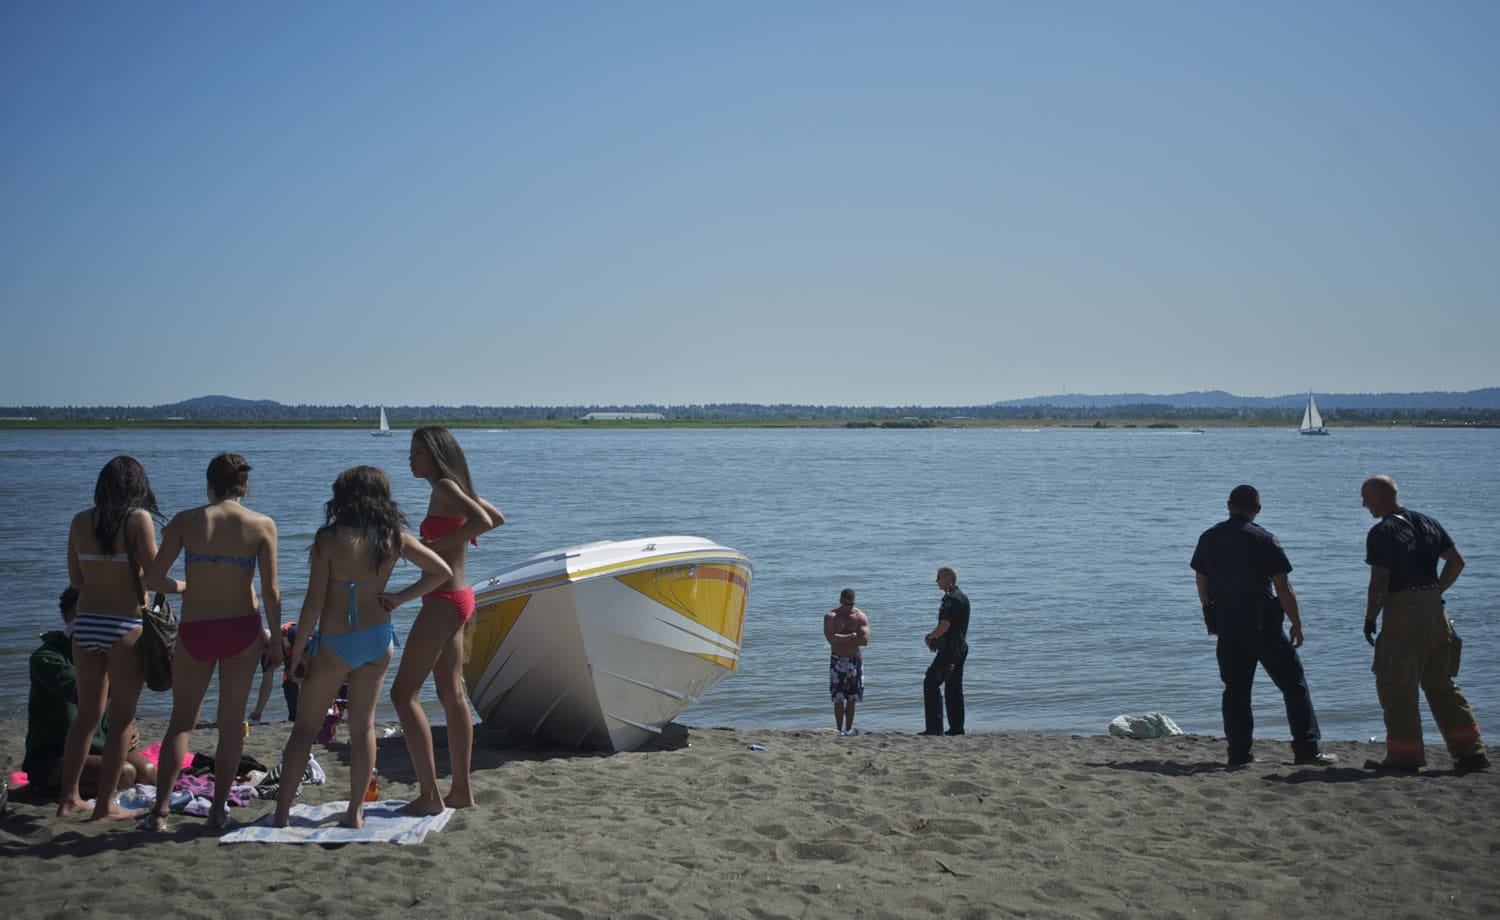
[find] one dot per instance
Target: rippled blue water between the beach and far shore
(1072, 544)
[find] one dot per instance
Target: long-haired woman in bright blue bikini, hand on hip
(346, 630)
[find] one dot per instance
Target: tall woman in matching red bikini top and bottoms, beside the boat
(436, 645)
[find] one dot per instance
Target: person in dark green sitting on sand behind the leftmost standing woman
(52, 711)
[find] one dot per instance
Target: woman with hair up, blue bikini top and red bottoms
(221, 544)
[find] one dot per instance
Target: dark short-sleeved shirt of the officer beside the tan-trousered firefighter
(1240, 559)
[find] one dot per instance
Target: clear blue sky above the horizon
(668, 202)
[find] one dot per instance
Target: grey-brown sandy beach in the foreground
(877, 826)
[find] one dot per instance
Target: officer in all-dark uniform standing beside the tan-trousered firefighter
(1237, 564)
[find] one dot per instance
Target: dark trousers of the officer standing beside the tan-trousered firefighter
(1240, 651)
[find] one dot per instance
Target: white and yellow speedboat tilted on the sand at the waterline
(601, 646)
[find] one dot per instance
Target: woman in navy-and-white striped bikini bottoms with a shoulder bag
(109, 546)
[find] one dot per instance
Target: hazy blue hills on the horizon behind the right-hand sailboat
(1219, 400)
